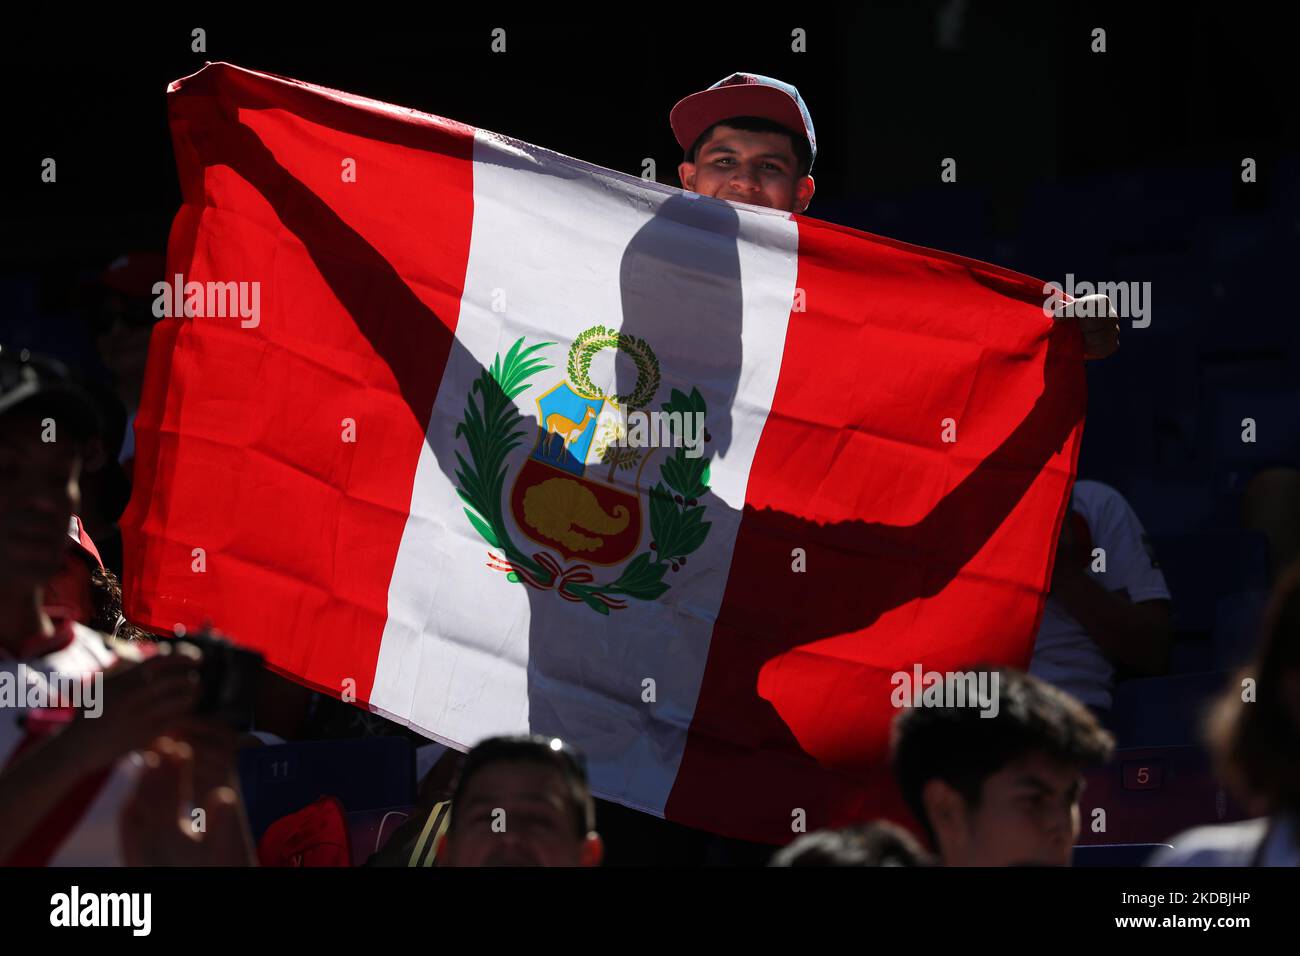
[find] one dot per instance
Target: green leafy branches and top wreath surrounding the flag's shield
(492, 430)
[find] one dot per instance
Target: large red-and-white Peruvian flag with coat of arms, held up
(493, 440)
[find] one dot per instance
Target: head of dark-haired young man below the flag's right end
(1002, 790)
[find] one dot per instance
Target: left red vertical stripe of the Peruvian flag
(242, 434)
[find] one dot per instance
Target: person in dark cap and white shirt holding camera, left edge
(76, 708)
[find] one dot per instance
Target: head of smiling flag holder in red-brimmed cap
(747, 139)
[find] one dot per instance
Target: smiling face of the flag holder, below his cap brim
(759, 168)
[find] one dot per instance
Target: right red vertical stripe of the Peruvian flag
(917, 550)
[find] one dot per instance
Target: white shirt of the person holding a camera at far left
(88, 833)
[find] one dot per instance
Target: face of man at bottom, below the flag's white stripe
(518, 814)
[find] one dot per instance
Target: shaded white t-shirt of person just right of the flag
(1064, 654)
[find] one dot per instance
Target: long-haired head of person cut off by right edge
(1255, 737)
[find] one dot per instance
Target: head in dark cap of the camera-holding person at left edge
(45, 426)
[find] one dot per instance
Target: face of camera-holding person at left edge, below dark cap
(38, 496)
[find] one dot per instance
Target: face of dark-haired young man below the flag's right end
(1029, 815)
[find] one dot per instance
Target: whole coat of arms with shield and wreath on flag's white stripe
(582, 521)
